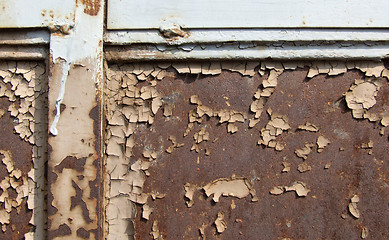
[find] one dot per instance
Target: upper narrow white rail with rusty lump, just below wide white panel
(123, 37)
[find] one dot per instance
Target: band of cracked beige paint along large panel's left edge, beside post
(138, 105)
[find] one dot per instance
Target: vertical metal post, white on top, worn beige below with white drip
(74, 152)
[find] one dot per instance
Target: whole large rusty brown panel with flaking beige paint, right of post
(247, 150)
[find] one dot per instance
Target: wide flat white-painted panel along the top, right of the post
(152, 14)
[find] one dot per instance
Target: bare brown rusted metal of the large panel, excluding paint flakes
(318, 215)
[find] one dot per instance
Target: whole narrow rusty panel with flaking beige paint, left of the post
(23, 131)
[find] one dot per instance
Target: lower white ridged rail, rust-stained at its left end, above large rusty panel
(360, 51)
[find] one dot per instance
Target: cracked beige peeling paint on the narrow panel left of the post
(24, 84)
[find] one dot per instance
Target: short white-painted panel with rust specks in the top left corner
(36, 13)
